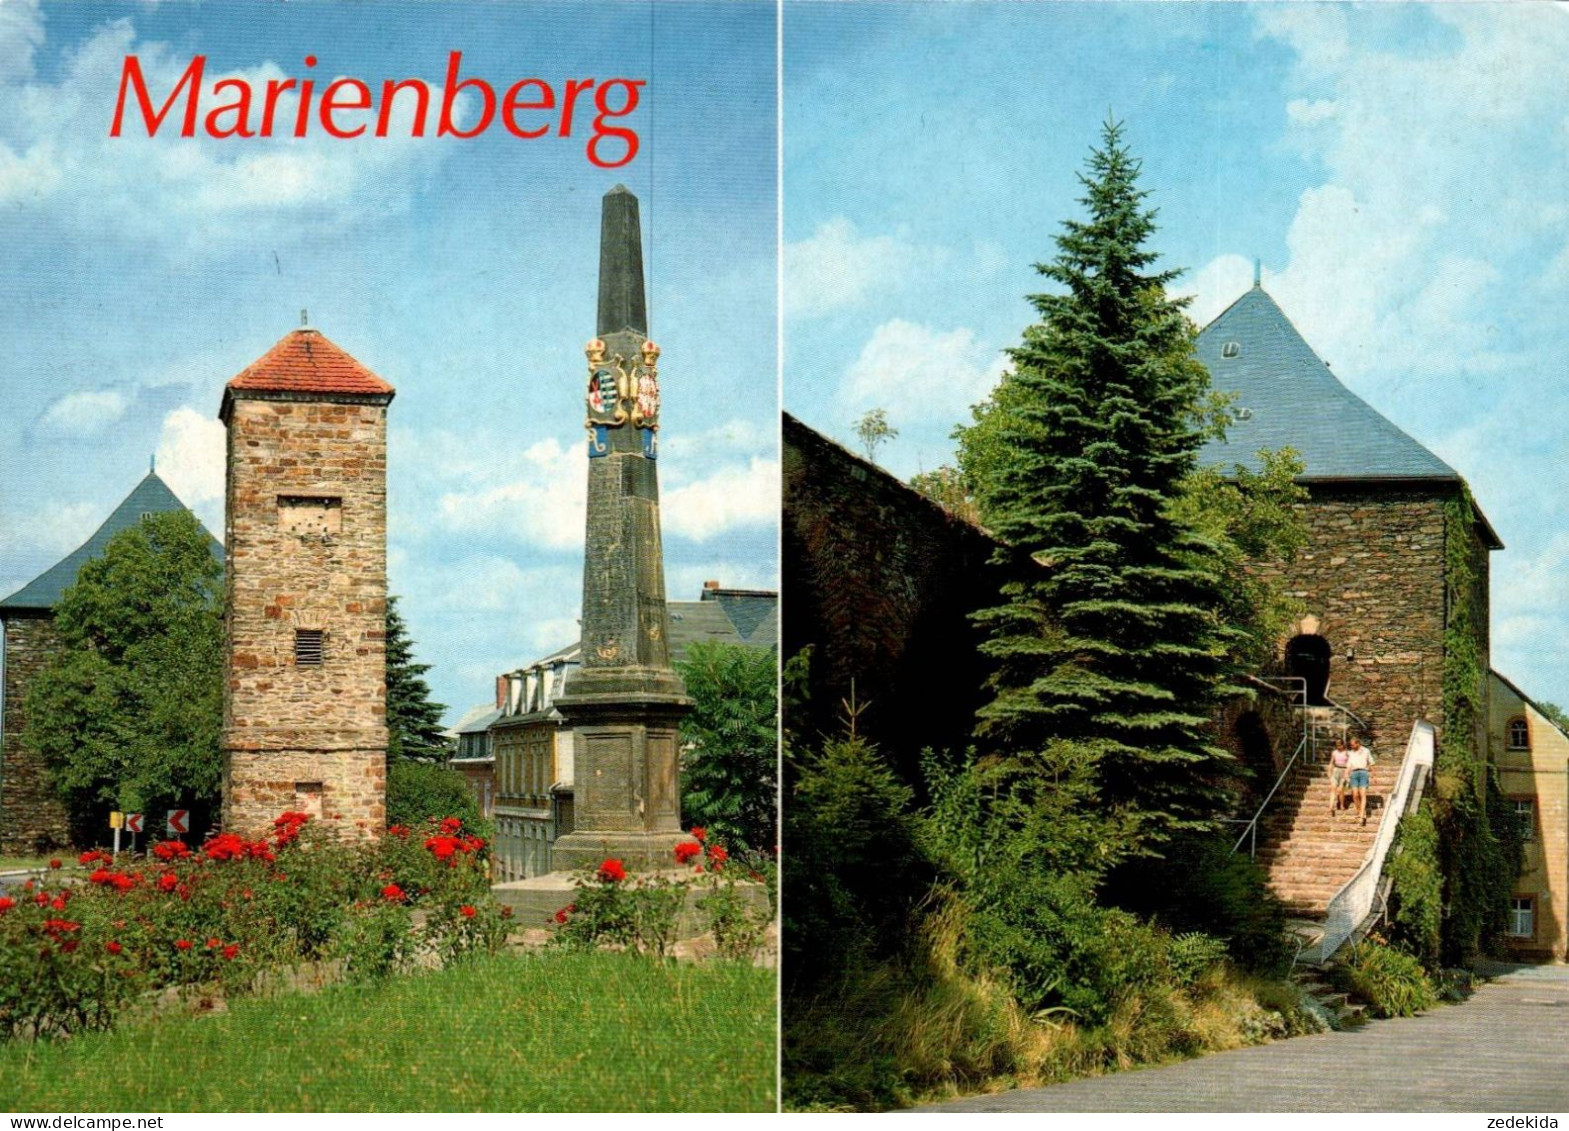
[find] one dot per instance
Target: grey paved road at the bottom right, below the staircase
(1502, 1052)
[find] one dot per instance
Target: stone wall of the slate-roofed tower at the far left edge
(32, 815)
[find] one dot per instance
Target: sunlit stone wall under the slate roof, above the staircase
(1372, 584)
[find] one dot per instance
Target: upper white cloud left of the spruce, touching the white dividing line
(837, 267)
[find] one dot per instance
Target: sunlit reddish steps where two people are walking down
(1308, 853)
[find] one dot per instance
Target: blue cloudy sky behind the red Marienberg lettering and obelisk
(140, 275)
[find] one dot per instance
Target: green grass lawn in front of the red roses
(550, 1033)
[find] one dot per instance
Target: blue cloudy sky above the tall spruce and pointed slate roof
(1400, 170)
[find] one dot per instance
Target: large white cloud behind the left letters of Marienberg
(183, 197)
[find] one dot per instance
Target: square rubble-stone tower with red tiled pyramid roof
(305, 702)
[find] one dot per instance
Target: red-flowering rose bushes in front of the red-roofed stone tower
(75, 958)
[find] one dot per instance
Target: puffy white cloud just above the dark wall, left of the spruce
(920, 374)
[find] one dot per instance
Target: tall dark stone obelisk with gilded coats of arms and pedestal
(625, 702)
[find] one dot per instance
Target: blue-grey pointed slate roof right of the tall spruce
(1287, 398)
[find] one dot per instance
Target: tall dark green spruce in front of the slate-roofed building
(1116, 646)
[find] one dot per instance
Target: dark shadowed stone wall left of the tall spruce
(881, 583)
